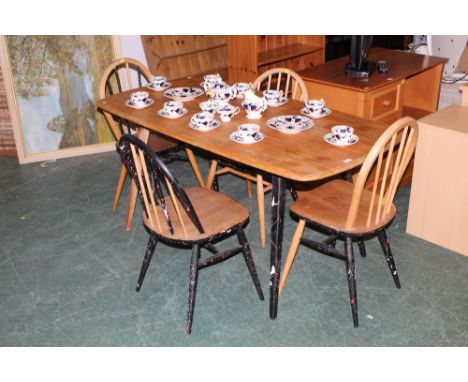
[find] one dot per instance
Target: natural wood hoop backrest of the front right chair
(393, 152)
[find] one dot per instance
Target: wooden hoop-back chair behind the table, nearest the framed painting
(121, 75)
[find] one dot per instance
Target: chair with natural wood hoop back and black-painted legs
(353, 212)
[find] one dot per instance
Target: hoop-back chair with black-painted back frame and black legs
(195, 217)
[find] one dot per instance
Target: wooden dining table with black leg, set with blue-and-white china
(301, 157)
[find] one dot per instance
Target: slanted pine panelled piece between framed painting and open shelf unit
(181, 56)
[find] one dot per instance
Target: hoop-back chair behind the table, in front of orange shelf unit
(293, 87)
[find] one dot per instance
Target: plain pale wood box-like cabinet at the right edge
(438, 208)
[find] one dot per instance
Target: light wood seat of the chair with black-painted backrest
(217, 212)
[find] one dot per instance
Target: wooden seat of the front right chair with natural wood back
(328, 205)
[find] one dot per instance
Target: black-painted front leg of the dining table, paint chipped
(276, 239)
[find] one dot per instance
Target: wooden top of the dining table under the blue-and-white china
(301, 157)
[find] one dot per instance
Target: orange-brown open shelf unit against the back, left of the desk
(251, 55)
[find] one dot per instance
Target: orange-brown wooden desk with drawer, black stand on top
(411, 87)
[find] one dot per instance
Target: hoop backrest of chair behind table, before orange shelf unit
(283, 79)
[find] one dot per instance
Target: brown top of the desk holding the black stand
(401, 65)
